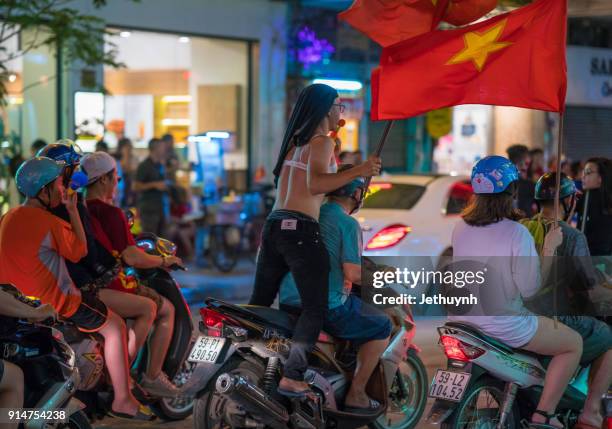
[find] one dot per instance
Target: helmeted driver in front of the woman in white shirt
(575, 276)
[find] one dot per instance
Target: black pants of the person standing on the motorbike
(291, 242)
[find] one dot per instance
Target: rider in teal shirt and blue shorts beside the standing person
(347, 316)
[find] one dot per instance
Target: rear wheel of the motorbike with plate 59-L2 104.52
(480, 407)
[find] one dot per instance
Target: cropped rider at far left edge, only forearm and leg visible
(11, 376)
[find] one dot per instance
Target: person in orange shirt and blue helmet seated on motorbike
(33, 245)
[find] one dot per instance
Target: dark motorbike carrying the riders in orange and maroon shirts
(96, 393)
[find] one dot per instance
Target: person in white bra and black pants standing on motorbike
(305, 171)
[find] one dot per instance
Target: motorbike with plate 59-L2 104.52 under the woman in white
(489, 384)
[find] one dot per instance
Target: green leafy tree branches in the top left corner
(53, 23)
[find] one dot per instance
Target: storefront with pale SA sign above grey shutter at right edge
(588, 119)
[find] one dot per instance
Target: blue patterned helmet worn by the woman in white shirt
(493, 175)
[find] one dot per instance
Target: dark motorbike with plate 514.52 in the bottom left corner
(50, 373)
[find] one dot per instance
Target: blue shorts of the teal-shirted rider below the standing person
(357, 322)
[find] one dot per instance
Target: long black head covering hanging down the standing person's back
(314, 102)
